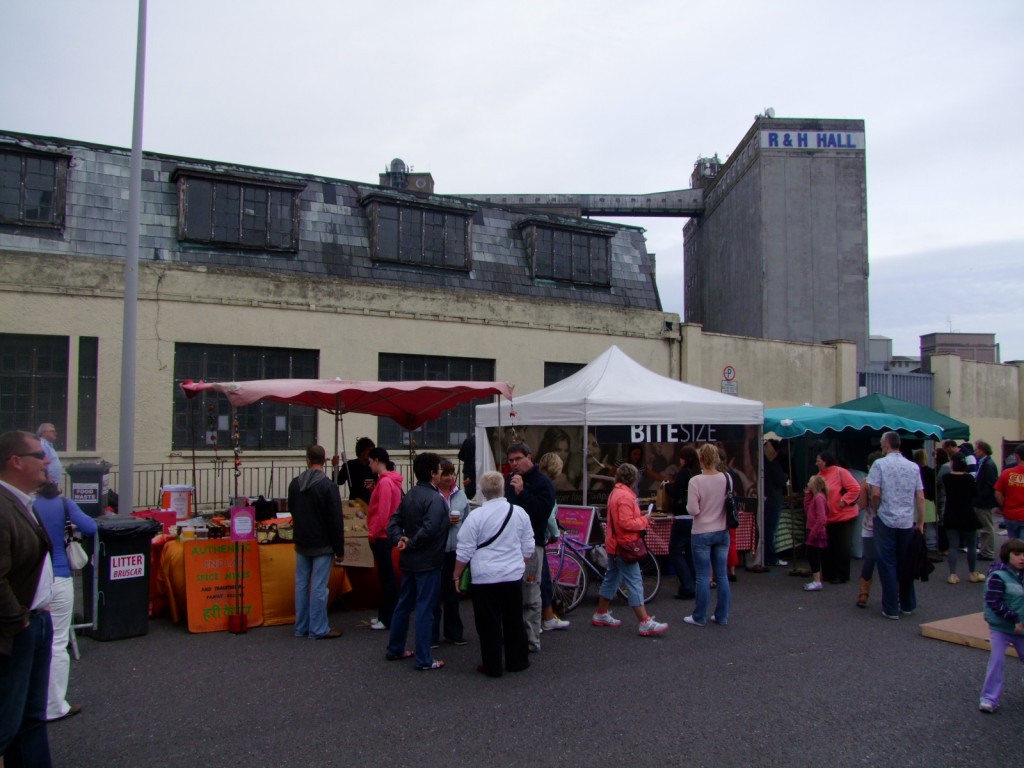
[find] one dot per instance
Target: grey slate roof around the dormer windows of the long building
(334, 231)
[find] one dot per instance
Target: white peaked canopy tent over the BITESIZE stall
(617, 391)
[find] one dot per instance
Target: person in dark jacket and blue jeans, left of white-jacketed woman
(419, 531)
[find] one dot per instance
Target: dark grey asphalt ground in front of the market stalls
(796, 679)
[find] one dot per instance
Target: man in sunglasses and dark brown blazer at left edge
(26, 630)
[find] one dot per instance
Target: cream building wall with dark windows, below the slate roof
(349, 324)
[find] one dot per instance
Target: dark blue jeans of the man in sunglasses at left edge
(24, 682)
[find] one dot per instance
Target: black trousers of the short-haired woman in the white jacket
(498, 616)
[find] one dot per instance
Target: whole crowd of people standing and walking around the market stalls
(444, 543)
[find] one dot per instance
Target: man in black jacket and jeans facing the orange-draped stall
(315, 503)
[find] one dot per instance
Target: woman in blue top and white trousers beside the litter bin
(58, 515)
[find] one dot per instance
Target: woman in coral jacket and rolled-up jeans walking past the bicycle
(622, 533)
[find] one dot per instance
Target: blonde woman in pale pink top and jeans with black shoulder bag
(710, 538)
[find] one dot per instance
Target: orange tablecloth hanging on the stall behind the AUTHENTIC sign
(277, 581)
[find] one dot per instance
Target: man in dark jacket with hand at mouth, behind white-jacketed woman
(532, 490)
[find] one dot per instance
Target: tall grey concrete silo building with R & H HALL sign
(781, 250)
